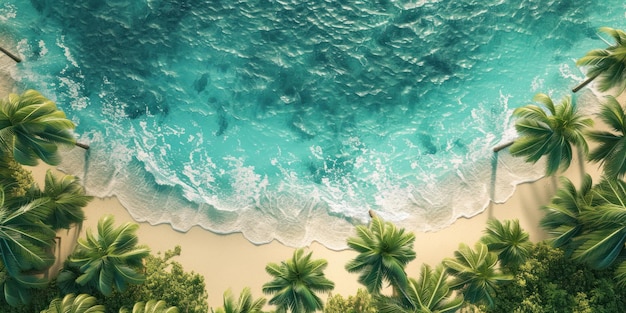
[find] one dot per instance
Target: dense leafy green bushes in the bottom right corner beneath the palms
(550, 281)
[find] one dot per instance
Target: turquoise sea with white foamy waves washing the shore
(289, 120)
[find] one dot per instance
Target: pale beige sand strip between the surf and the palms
(230, 261)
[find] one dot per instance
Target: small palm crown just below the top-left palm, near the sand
(67, 198)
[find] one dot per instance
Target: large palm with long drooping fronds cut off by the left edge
(24, 249)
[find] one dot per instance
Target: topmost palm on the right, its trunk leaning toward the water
(607, 65)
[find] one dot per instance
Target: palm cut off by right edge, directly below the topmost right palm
(611, 151)
